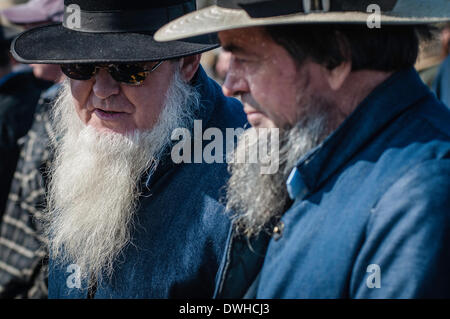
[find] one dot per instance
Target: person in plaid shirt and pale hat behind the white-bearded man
(23, 263)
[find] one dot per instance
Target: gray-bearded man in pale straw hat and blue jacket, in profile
(360, 205)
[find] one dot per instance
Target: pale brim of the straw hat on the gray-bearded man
(215, 19)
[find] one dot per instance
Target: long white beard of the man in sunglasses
(94, 181)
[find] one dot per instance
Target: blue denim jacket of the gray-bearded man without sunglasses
(371, 218)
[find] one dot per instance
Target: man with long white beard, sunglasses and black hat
(123, 220)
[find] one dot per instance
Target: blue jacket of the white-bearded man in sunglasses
(182, 228)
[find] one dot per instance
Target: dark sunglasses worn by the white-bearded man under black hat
(131, 74)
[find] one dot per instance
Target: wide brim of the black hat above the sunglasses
(55, 44)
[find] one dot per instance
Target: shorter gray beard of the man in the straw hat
(256, 199)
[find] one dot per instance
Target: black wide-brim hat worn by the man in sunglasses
(104, 31)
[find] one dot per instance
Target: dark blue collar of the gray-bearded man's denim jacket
(383, 105)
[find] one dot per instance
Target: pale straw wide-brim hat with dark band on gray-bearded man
(234, 14)
